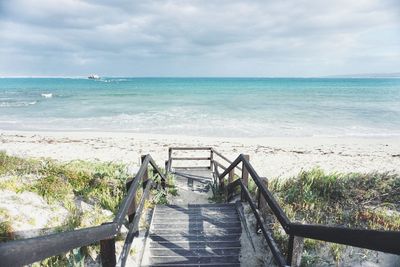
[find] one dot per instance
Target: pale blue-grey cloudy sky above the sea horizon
(298, 38)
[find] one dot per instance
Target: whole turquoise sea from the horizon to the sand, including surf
(232, 107)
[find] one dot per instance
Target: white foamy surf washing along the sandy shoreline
(192, 124)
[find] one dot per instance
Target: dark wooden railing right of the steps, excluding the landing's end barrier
(384, 241)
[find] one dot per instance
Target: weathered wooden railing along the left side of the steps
(26, 251)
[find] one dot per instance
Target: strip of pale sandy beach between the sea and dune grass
(272, 157)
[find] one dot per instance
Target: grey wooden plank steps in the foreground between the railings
(194, 235)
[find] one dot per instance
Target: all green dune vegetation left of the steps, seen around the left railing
(100, 185)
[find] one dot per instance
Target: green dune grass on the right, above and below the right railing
(368, 201)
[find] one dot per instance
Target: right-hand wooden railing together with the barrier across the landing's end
(384, 241)
